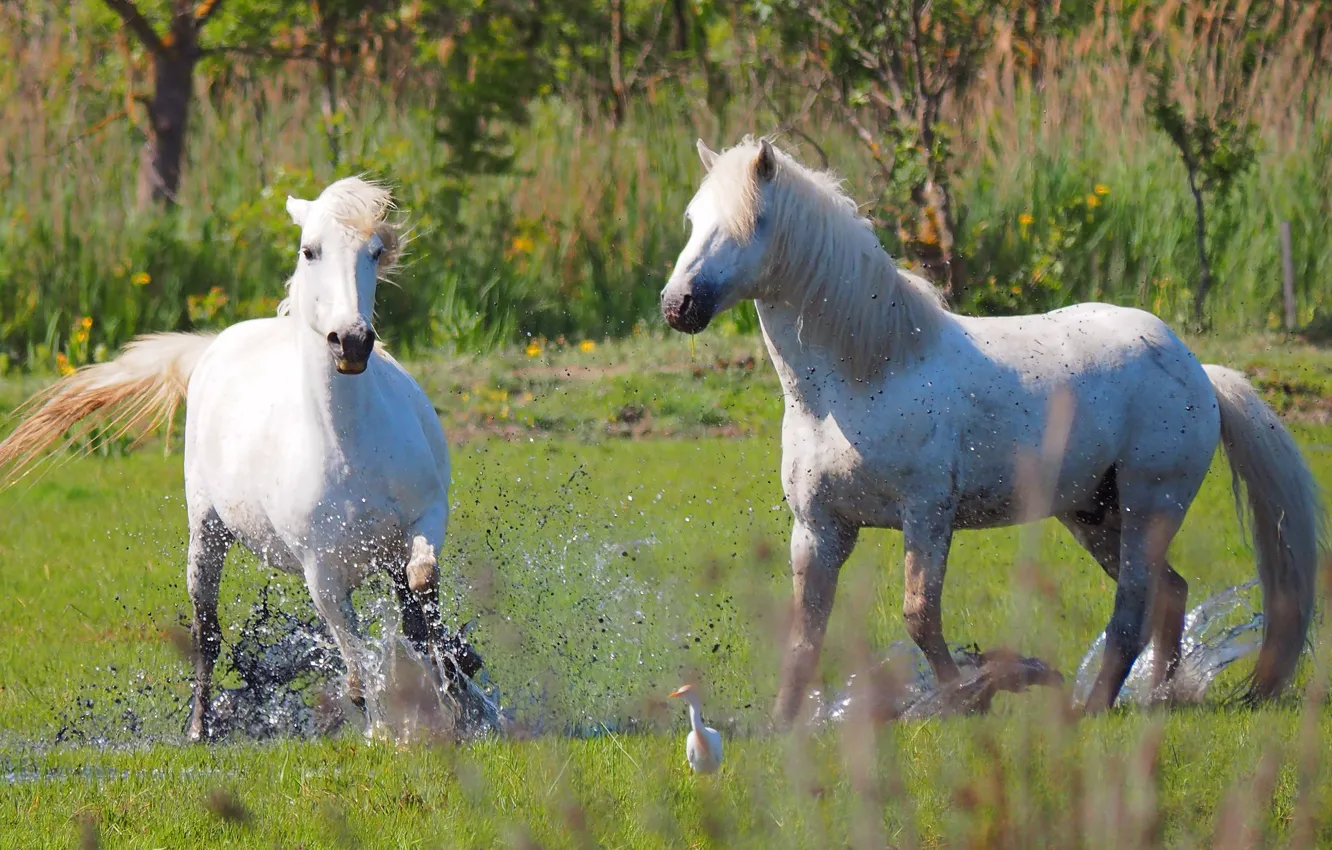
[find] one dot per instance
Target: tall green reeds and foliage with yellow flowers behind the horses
(529, 216)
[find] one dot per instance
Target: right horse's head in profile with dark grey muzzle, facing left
(728, 248)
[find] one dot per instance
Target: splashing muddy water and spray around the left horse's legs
(282, 676)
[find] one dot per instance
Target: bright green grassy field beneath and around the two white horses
(603, 571)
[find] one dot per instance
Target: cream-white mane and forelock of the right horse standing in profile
(827, 262)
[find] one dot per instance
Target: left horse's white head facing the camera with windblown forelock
(346, 247)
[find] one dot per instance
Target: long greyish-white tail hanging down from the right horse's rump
(1286, 519)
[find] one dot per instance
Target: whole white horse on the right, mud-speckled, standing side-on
(902, 415)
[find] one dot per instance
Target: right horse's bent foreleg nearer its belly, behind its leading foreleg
(928, 535)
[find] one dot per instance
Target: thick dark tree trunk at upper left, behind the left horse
(168, 122)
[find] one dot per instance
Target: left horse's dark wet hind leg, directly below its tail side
(210, 542)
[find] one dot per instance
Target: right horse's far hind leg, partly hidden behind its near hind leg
(1100, 535)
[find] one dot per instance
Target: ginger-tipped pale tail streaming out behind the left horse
(139, 390)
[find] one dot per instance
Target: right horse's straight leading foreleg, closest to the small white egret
(819, 554)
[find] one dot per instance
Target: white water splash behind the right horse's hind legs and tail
(1218, 634)
